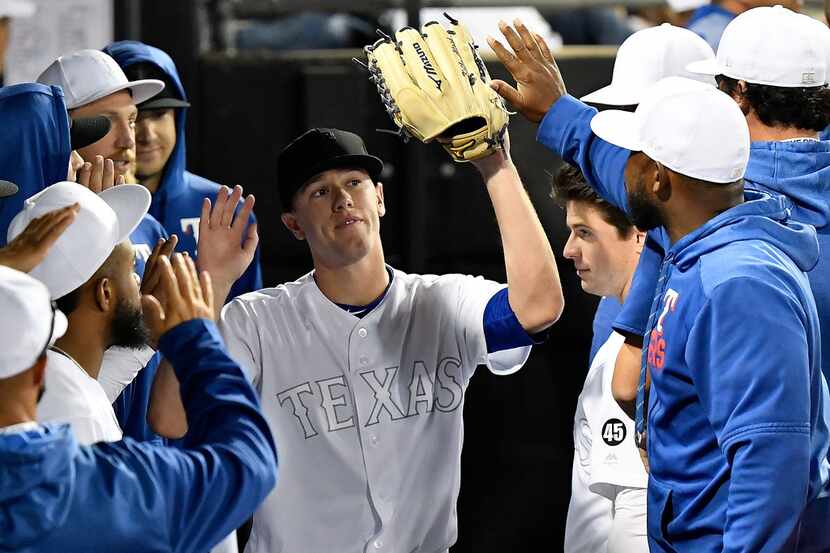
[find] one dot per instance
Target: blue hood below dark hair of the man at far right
(800, 170)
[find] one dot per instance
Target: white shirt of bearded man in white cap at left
(73, 396)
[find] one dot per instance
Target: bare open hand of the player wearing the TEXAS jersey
(226, 243)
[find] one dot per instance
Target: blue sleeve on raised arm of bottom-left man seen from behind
(229, 464)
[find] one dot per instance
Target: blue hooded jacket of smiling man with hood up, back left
(177, 203)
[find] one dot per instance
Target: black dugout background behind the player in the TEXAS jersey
(518, 450)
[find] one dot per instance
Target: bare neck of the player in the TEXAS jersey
(359, 283)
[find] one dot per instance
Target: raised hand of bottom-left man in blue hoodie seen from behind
(185, 295)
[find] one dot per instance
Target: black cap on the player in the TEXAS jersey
(319, 150)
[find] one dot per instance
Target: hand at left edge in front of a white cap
(29, 249)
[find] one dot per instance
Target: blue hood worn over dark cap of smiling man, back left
(127, 53)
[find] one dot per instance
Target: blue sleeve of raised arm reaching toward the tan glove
(566, 129)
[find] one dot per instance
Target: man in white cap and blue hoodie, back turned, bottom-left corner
(125, 496)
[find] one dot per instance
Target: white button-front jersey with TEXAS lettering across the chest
(366, 413)
